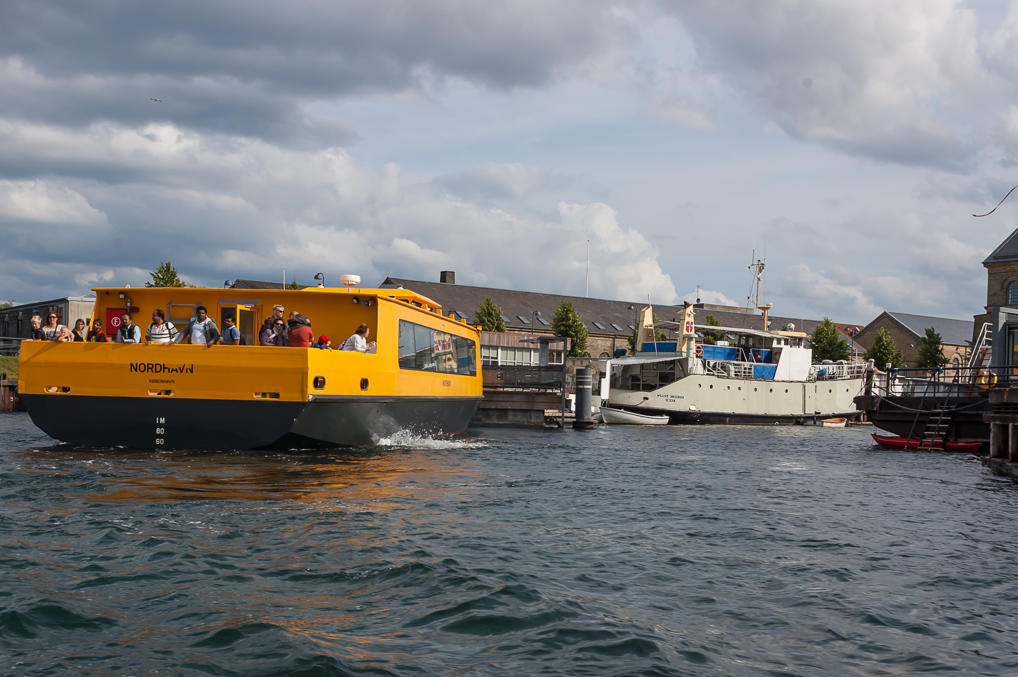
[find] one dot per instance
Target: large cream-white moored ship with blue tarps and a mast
(756, 377)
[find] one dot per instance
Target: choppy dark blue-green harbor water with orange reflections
(620, 551)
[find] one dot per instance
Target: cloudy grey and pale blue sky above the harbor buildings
(845, 142)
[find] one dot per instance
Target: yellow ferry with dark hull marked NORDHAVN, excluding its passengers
(423, 377)
